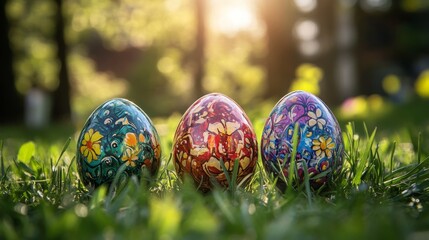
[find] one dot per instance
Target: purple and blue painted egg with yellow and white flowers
(319, 147)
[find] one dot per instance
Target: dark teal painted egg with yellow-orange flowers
(117, 133)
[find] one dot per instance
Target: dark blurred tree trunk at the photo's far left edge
(11, 102)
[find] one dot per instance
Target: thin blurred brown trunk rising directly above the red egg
(199, 47)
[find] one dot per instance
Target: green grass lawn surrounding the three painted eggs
(382, 192)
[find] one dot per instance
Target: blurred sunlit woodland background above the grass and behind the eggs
(62, 58)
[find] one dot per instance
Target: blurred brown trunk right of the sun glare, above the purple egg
(279, 16)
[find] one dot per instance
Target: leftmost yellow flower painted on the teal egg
(90, 147)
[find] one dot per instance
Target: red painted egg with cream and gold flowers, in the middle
(214, 131)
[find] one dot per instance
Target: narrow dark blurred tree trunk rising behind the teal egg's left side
(61, 104)
